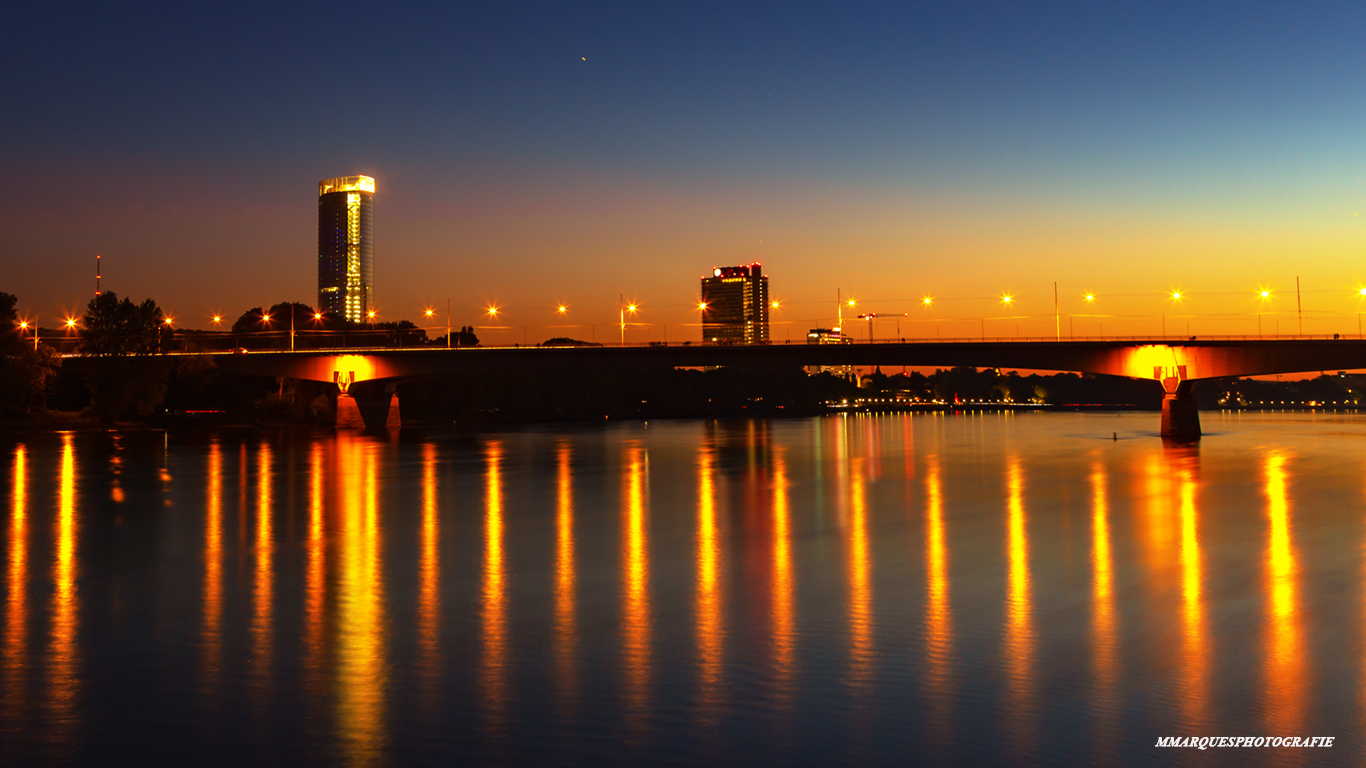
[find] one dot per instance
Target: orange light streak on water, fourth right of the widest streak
(637, 642)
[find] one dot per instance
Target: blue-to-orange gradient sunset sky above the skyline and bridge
(529, 155)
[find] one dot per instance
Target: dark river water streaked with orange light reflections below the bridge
(954, 590)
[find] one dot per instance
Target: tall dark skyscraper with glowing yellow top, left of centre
(346, 247)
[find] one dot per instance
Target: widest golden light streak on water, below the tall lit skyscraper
(361, 644)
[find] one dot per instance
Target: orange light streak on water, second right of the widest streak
(495, 609)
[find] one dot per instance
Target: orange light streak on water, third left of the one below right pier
(939, 616)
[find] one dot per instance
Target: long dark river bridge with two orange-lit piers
(371, 376)
